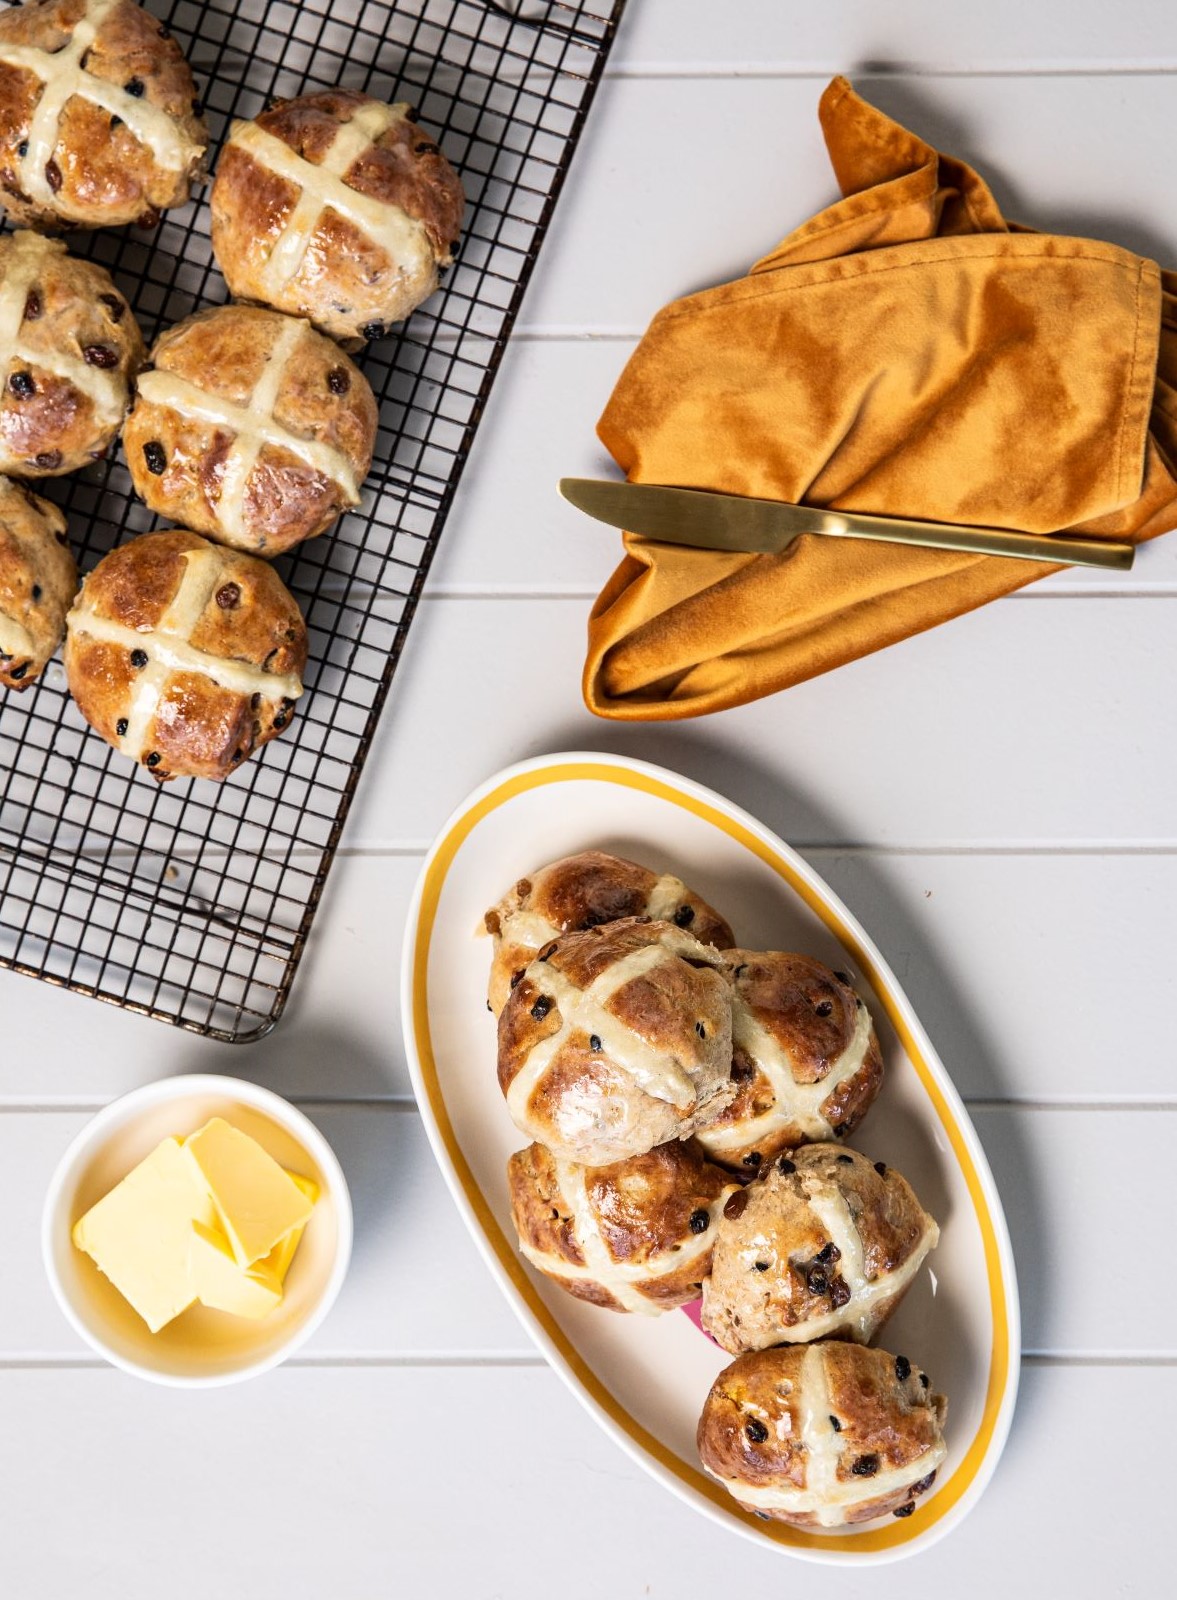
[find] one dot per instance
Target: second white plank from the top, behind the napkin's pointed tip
(624, 246)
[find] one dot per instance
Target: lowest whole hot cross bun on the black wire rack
(185, 657)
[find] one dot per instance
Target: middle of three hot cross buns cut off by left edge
(70, 348)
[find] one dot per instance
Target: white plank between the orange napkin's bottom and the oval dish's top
(960, 737)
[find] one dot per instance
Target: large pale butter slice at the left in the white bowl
(140, 1234)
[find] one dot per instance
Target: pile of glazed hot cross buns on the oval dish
(687, 1103)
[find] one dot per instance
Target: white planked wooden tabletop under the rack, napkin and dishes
(1002, 822)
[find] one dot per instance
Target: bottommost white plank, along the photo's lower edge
(497, 1486)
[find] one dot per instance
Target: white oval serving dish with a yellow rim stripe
(645, 1378)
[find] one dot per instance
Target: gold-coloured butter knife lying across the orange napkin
(736, 522)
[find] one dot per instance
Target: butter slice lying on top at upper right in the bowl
(257, 1204)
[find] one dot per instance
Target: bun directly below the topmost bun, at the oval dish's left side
(634, 1236)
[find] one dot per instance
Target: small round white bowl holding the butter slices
(202, 1348)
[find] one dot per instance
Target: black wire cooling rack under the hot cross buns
(193, 902)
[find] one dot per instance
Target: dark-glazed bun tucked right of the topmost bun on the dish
(805, 1058)
